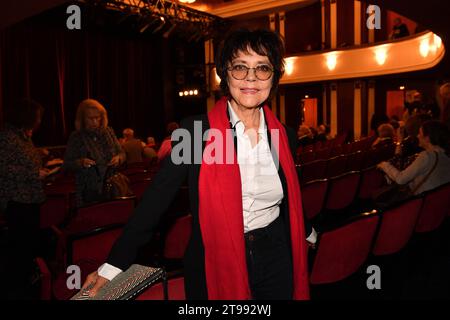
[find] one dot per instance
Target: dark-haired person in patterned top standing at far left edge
(21, 196)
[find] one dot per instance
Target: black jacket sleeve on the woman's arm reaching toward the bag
(155, 201)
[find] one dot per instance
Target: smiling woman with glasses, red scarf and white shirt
(248, 236)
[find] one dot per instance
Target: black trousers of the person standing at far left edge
(22, 247)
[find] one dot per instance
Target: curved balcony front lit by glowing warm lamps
(418, 52)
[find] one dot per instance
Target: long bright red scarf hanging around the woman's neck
(221, 215)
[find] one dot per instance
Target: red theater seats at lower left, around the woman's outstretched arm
(85, 235)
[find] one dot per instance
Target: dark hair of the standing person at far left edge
(24, 114)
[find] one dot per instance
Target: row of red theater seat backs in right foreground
(342, 250)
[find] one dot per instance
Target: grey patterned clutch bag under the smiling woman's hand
(128, 284)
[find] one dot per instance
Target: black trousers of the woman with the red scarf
(269, 262)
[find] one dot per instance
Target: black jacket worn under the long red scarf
(157, 199)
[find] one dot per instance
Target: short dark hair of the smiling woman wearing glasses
(262, 41)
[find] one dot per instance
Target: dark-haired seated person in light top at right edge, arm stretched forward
(434, 138)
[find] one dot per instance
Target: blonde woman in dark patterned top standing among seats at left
(92, 151)
